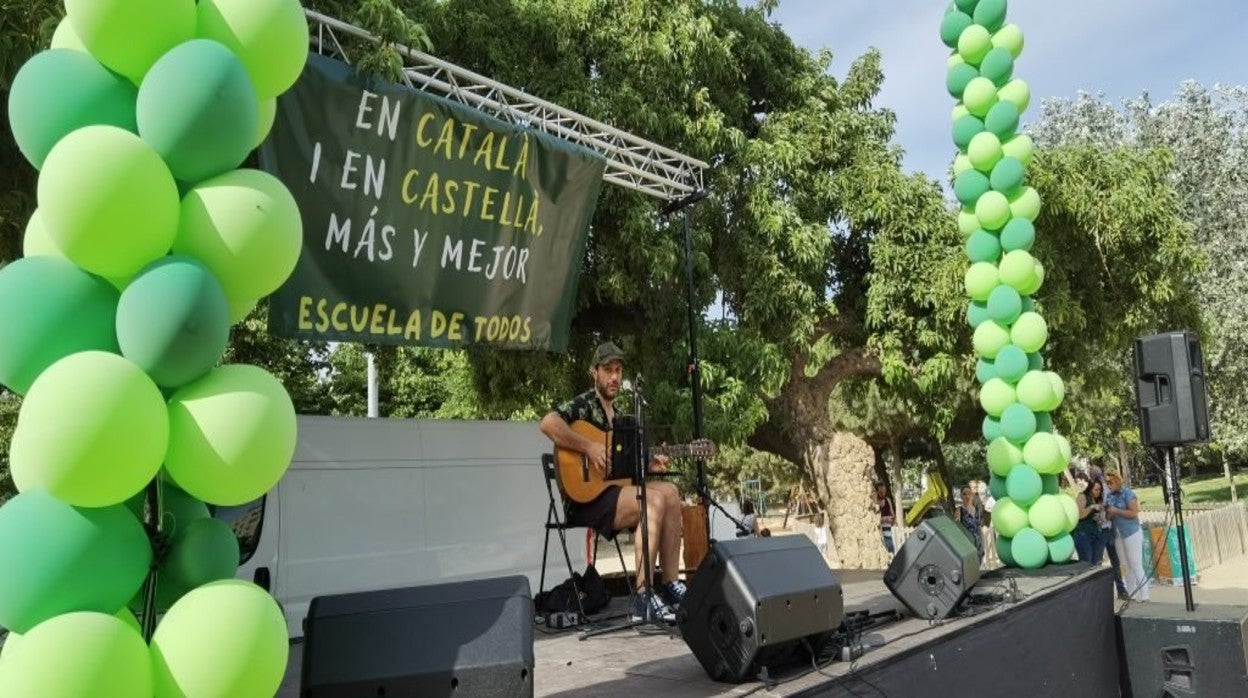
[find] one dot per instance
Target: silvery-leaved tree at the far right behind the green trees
(1207, 134)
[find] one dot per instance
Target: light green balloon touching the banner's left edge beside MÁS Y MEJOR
(246, 229)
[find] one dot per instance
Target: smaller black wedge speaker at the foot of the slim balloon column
(935, 569)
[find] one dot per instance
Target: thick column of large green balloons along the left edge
(148, 244)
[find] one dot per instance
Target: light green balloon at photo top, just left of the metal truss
(270, 37)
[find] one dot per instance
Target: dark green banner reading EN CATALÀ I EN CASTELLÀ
(425, 222)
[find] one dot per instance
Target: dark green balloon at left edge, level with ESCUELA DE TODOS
(51, 309)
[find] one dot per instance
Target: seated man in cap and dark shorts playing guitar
(617, 508)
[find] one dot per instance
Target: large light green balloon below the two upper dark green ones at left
(108, 202)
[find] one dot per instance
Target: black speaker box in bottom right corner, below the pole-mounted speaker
(1168, 652)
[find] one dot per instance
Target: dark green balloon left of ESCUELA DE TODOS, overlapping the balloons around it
(174, 322)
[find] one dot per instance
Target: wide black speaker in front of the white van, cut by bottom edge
(462, 639)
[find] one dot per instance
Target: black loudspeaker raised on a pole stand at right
(1170, 390)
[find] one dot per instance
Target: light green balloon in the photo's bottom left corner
(76, 656)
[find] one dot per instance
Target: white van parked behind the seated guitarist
(384, 504)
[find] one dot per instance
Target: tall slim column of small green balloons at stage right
(1033, 518)
